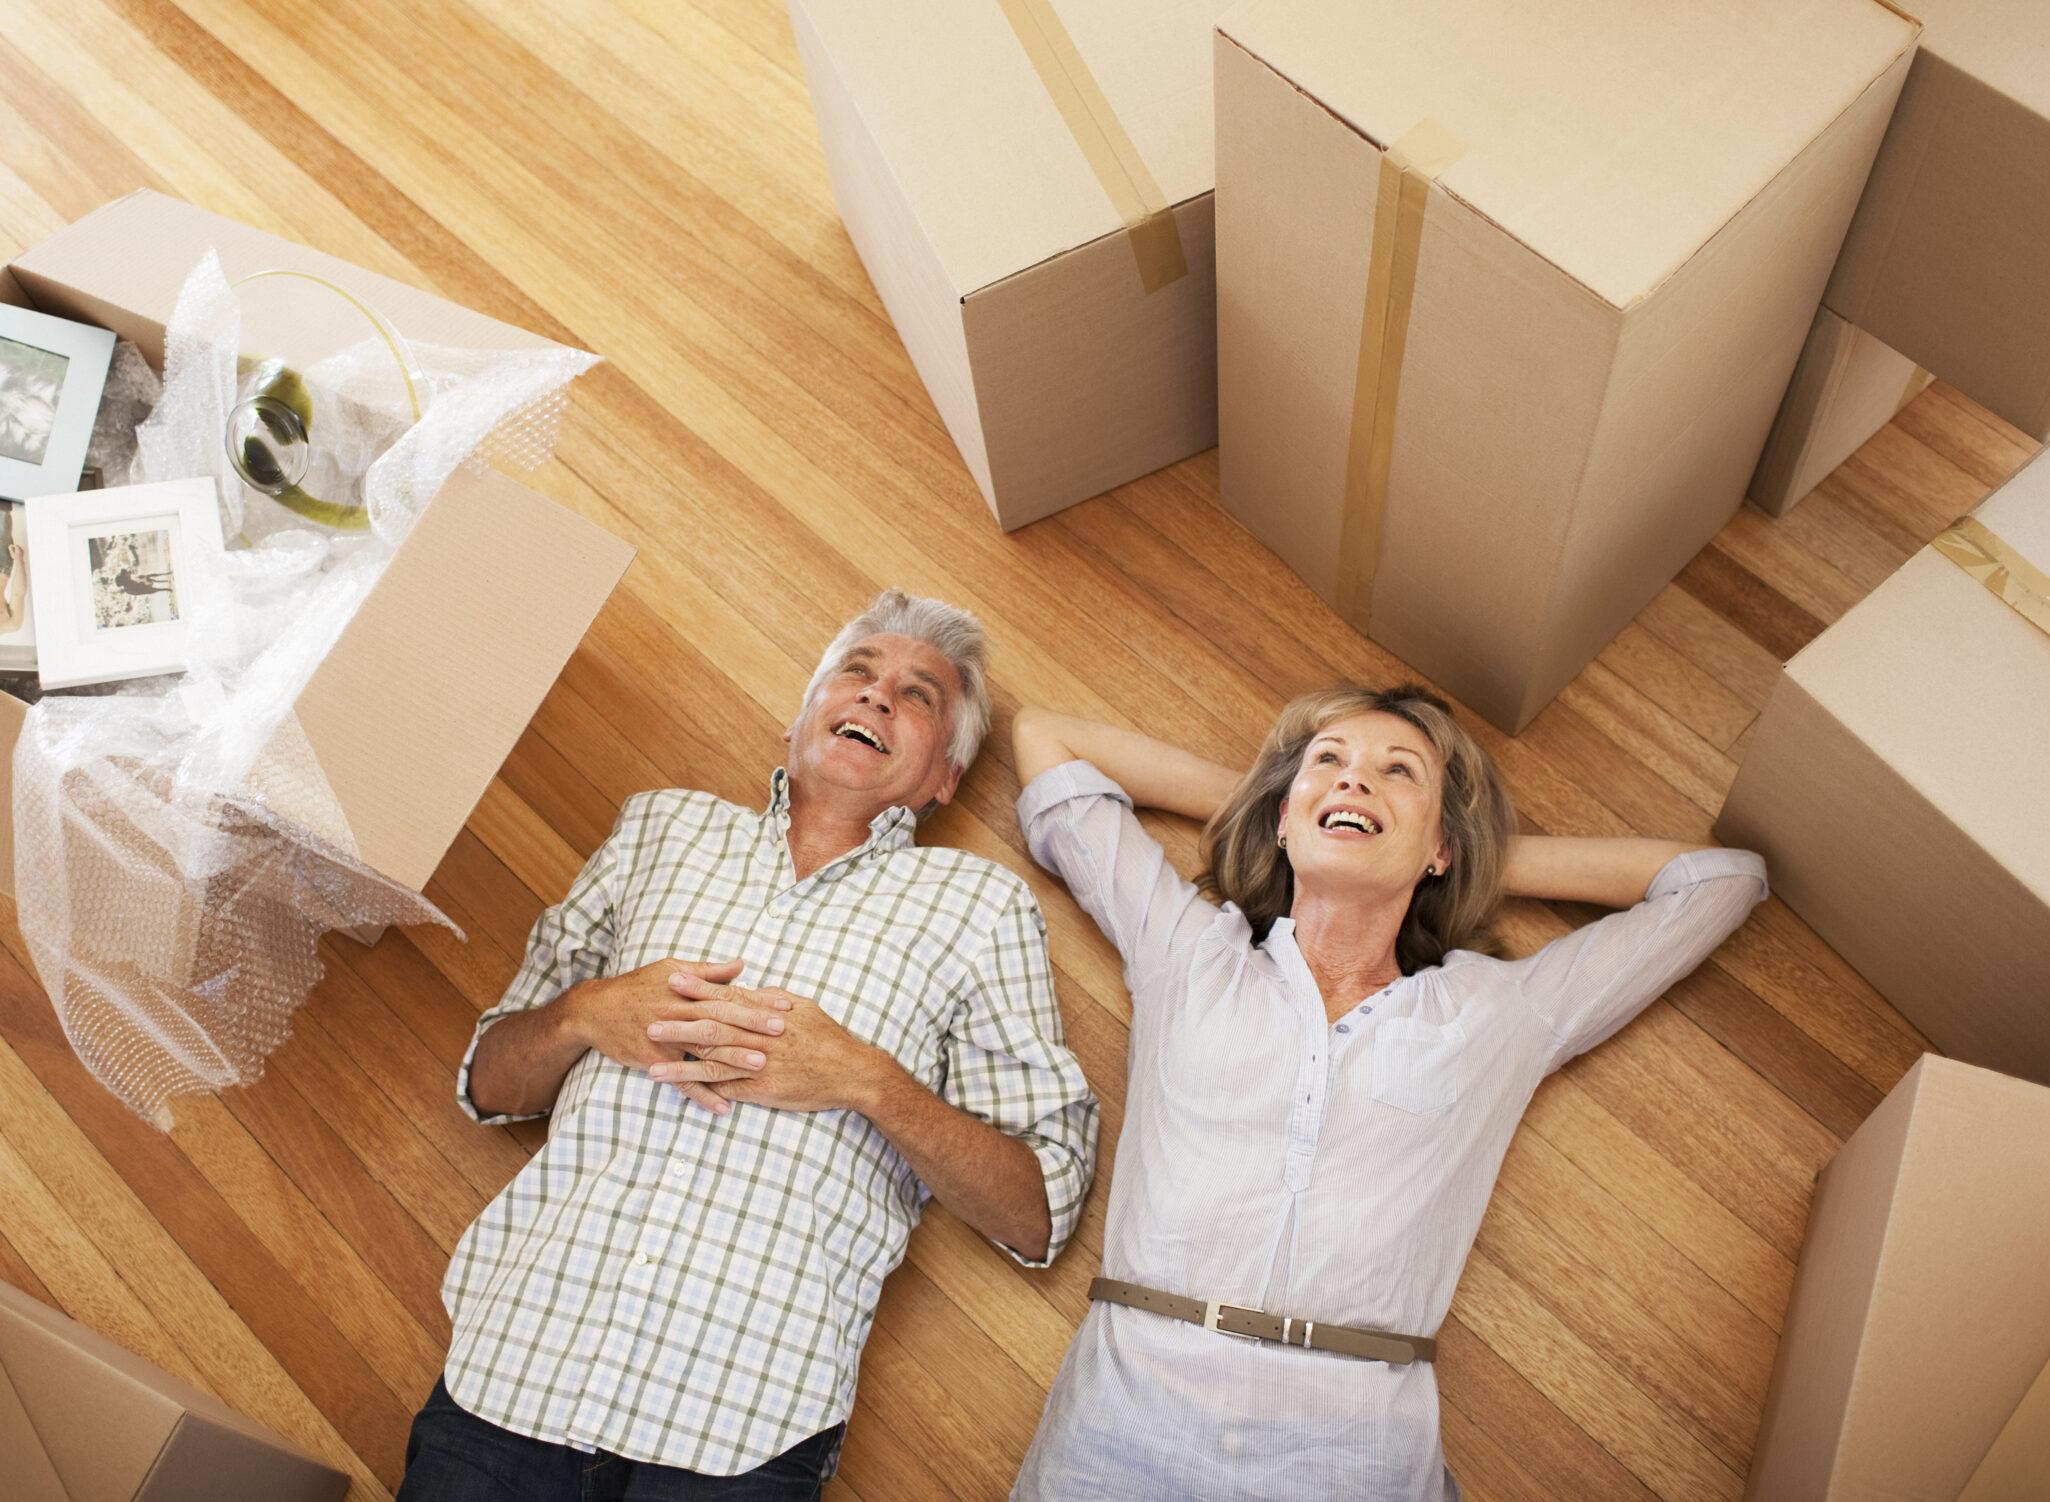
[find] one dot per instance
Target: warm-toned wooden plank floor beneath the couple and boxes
(643, 179)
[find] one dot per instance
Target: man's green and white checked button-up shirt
(696, 1290)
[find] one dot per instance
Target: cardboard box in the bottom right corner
(1920, 1312)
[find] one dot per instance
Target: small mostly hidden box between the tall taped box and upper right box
(1846, 388)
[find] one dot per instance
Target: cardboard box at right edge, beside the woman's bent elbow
(1899, 790)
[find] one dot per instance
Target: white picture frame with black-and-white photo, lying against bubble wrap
(118, 573)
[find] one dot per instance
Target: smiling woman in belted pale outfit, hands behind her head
(1325, 1075)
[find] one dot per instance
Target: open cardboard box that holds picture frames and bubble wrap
(442, 669)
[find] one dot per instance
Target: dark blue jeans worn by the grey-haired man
(458, 1458)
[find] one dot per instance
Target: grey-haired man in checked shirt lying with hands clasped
(671, 1300)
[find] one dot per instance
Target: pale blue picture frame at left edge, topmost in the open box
(50, 390)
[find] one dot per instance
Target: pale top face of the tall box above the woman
(1612, 138)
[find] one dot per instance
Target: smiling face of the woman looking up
(1364, 808)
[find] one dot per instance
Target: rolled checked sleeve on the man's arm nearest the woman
(1008, 1065)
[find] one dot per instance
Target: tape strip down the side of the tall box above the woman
(1407, 173)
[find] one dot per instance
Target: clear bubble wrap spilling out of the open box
(177, 849)
